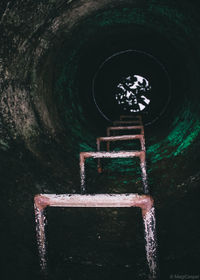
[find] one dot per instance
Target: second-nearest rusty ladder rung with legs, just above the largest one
(121, 154)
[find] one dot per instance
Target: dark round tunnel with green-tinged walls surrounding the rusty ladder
(61, 65)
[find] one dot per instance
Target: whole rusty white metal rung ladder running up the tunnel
(145, 201)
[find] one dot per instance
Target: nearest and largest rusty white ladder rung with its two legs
(145, 202)
